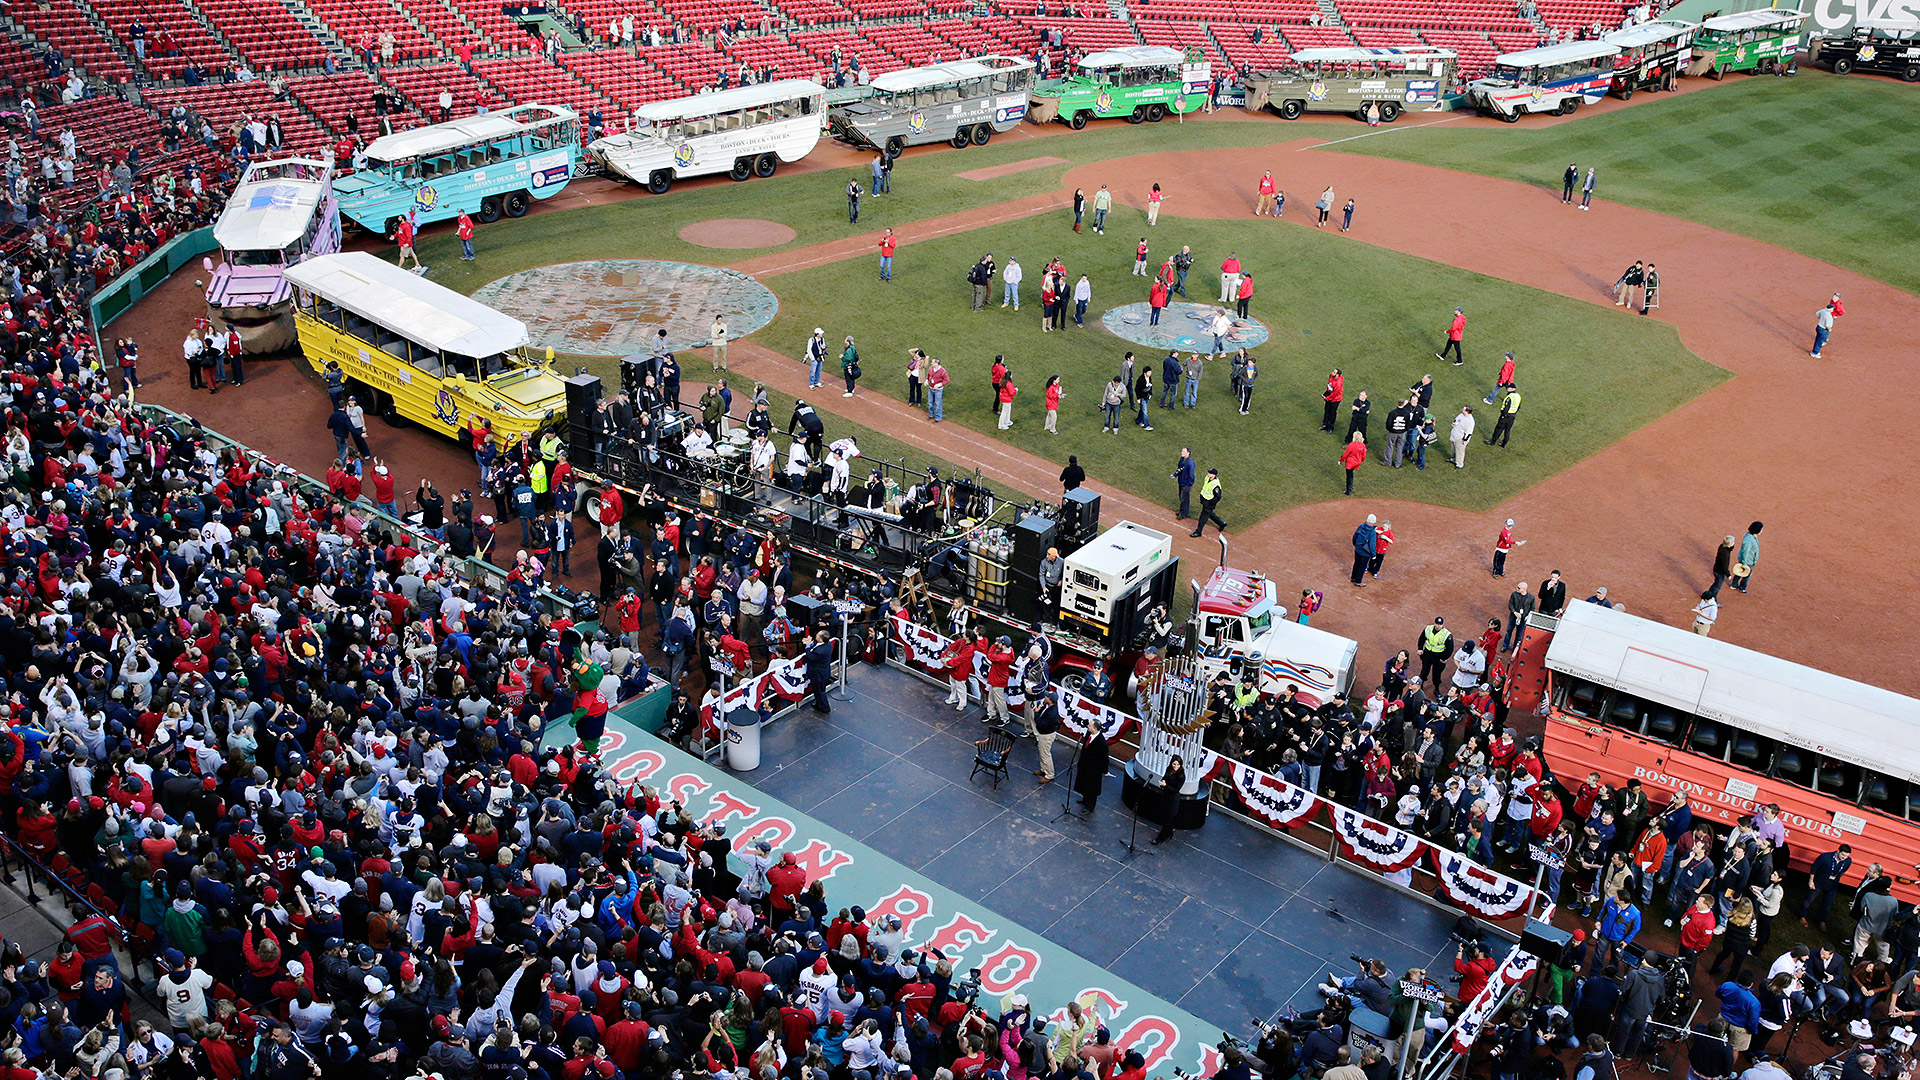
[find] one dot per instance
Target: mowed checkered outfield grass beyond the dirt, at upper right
(1821, 164)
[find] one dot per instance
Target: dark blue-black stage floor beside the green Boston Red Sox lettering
(1228, 923)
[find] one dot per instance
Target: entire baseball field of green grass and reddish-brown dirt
(1644, 439)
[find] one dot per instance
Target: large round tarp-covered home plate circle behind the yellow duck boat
(619, 307)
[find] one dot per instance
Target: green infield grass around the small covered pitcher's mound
(1589, 374)
